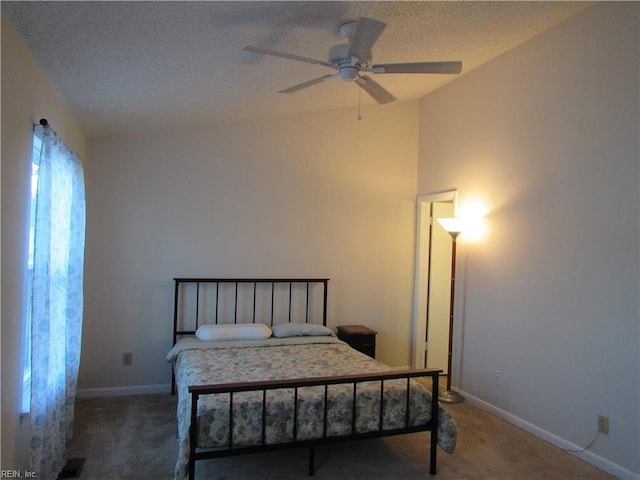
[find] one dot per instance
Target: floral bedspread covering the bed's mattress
(200, 363)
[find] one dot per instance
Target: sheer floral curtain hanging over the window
(56, 303)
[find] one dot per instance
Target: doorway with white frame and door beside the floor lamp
(432, 281)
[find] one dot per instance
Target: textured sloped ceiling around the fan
(124, 66)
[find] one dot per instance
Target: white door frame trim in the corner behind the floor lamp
(421, 280)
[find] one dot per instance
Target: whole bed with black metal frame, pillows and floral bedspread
(256, 368)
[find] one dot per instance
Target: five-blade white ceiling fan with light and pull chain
(351, 59)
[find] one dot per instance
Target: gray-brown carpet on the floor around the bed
(134, 438)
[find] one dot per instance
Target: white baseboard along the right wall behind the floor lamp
(587, 456)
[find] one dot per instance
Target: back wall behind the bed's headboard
(308, 195)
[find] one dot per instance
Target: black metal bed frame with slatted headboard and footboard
(230, 450)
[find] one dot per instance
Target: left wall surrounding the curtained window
(26, 97)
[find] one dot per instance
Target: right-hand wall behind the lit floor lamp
(547, 135)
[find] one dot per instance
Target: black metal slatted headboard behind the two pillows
(218, 294)
